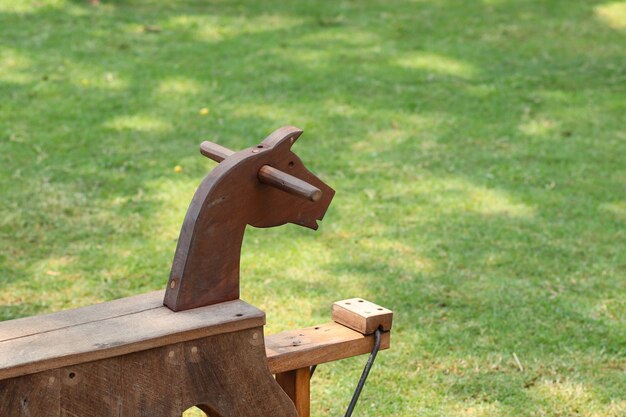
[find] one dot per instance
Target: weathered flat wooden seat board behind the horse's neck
(91, 333)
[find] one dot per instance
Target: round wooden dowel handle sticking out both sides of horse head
(267, 174)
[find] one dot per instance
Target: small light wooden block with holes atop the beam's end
(361, 315)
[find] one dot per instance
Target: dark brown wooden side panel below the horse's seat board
(225, 375)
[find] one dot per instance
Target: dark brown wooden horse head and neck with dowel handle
(263, 186)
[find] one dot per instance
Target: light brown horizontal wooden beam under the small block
(295, 349)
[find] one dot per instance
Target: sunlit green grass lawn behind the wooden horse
(478, 151)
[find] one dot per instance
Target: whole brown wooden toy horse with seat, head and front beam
(197, 343)
